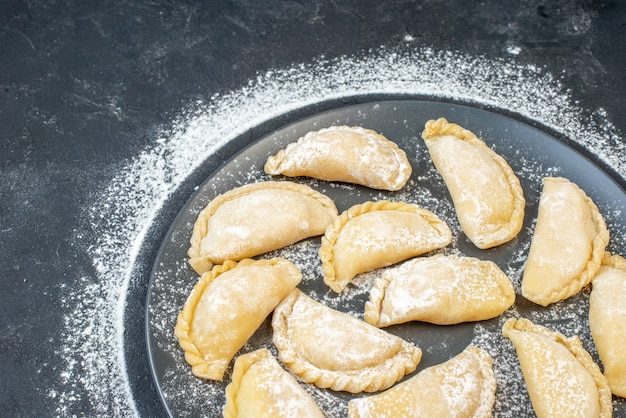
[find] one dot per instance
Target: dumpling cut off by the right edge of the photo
(607, 320)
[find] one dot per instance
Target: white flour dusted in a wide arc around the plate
(92, 354)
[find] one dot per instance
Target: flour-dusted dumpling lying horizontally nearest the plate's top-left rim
(348, 154)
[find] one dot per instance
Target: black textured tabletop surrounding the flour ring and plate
(86, 86)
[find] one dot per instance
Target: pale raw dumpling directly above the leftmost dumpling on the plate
(255, 219)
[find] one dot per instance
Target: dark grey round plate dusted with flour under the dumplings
(532, 154)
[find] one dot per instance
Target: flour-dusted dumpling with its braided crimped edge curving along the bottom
(332, 349)
